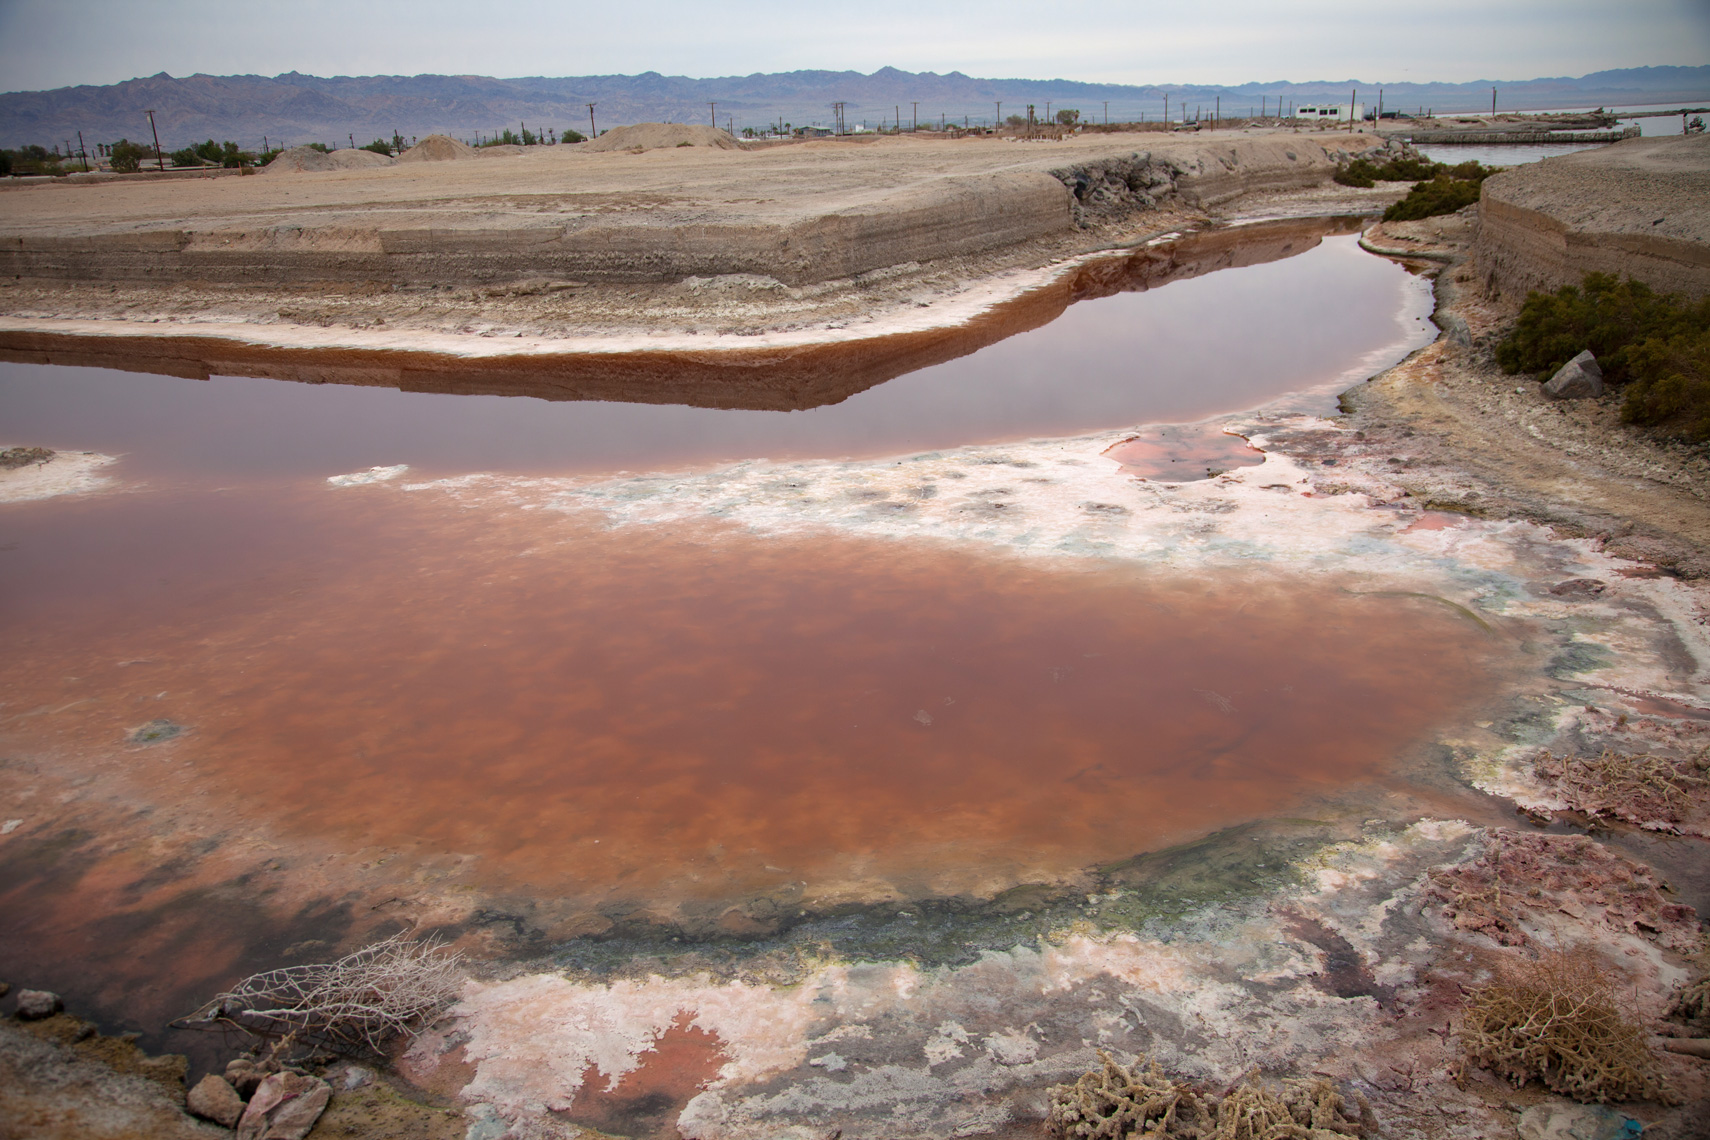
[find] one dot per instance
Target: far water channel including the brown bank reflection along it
(1306, 312)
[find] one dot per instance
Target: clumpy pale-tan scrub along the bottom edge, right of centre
(1116, 1102)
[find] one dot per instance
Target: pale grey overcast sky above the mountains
(56, 44)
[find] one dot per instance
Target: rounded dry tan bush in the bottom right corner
(1557, 1021)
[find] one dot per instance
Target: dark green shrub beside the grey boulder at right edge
(1605, 315)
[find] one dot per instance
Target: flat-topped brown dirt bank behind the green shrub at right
(1639, 209)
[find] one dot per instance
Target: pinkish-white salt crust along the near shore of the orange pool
(933, 1047)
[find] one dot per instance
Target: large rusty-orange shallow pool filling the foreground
(681, 715)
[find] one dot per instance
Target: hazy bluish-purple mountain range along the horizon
(297, 109)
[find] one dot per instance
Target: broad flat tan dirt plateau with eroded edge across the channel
(796, 214)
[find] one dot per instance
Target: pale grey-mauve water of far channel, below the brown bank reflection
(1316, 319)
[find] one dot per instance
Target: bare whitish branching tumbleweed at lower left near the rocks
(362, 1001)
